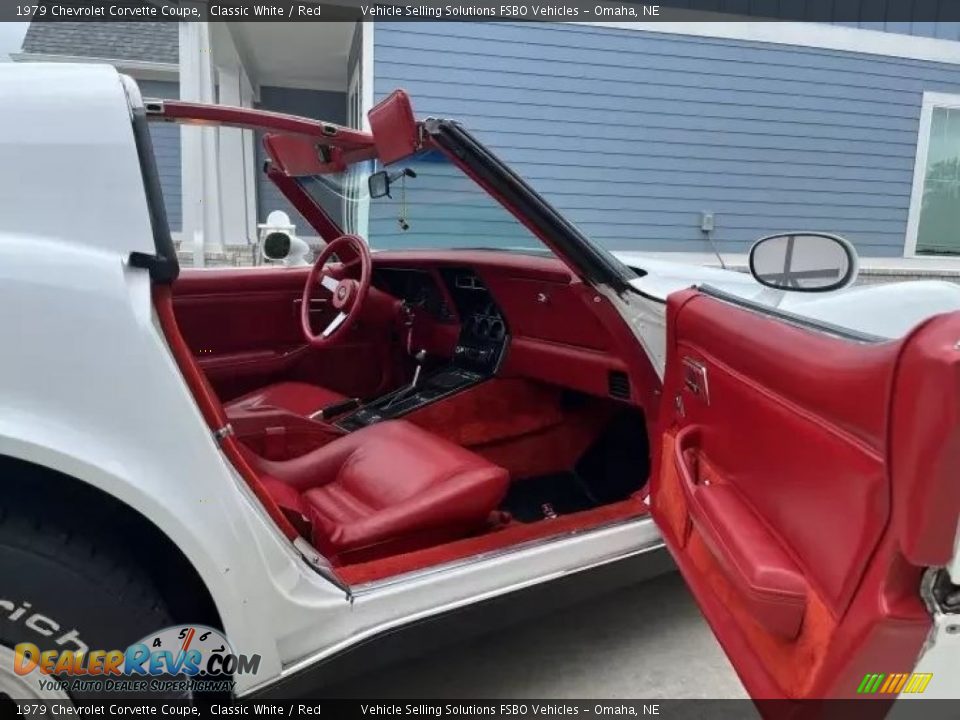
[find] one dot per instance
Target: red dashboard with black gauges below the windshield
(508, 314)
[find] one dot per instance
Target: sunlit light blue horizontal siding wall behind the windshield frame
(633, 134)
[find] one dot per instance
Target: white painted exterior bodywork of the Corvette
(84, 409)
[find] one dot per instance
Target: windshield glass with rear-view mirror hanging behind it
(431, 205)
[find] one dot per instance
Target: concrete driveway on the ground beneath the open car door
(648, 641)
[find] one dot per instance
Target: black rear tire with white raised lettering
(71, 578)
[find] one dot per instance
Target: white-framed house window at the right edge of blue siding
(933, 227)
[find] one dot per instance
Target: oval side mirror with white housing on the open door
(804, 262)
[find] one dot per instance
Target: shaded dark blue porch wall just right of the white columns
(316, 104)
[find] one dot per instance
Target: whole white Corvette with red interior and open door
(310, 458)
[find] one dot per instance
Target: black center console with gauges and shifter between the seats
(480, 348)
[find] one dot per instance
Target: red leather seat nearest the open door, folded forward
(385, 489)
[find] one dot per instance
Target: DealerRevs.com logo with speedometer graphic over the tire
(191, 658)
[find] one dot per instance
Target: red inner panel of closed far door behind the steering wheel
(243, 326)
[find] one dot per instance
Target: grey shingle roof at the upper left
(147, 41)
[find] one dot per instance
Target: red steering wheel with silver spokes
(348, 293)
